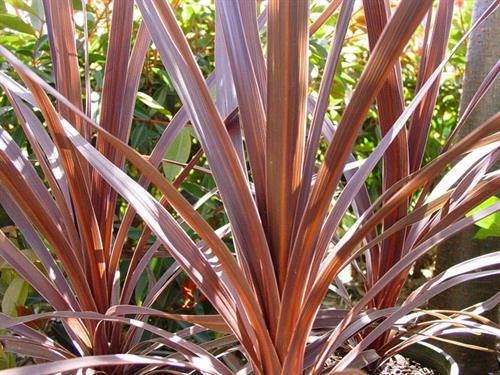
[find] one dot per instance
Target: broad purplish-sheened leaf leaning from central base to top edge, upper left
(240, 207)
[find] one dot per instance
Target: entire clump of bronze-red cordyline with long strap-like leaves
(284, 209)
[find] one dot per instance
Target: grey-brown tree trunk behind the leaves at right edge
(482, 53)
